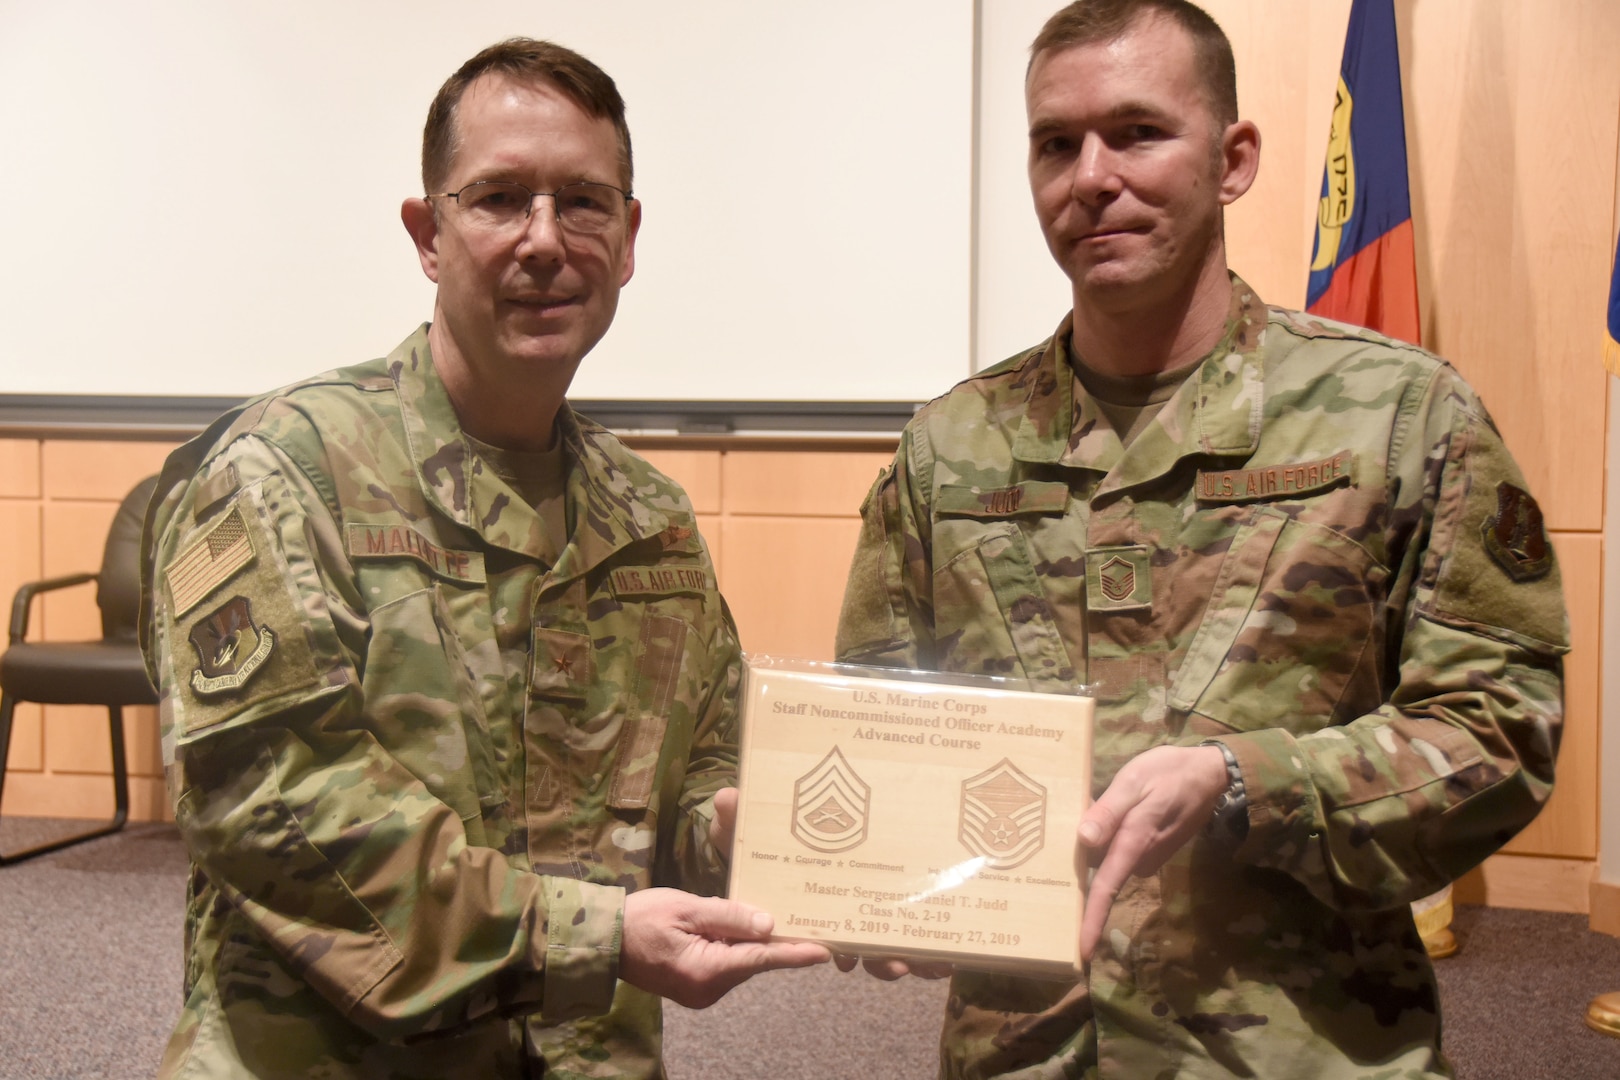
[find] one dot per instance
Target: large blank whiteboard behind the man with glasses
(173, 226)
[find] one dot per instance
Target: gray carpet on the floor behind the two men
(90, 985)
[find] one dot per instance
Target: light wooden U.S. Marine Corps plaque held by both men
(890, 814)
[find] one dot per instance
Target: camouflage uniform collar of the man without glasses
(1217, 410)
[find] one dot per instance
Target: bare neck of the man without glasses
(1141, 339)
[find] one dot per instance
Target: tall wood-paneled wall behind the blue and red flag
(1512, 132)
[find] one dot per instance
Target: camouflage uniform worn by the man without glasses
(1318, 555)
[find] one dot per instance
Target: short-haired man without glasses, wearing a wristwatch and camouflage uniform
(1297, 568)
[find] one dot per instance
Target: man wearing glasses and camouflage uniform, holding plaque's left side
(448, 686)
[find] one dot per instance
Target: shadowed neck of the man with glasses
(514, 410)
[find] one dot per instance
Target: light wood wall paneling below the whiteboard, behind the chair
(782, 522)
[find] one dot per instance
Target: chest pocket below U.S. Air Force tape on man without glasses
(1292, 632)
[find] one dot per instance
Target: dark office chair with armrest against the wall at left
(87, 673)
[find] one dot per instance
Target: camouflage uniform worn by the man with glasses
(419, 765)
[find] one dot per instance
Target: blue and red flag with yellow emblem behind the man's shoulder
(1363, 268)
